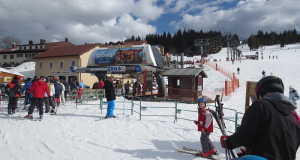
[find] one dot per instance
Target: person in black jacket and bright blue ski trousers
(110, 96)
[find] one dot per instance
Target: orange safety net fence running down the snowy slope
(230, 85)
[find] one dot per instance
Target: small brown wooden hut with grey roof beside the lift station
(185, 84)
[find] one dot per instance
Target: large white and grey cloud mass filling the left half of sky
(79, 20)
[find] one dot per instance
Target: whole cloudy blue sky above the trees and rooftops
(100, 21)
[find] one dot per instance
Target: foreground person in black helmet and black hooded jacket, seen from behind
(268, 128)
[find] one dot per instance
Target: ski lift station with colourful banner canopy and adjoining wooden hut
(143, 62)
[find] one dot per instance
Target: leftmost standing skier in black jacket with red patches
(13, 90)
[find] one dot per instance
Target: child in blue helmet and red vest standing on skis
(205, 126)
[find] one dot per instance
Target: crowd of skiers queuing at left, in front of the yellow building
(40, 91)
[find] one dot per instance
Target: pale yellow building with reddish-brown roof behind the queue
(57, 62)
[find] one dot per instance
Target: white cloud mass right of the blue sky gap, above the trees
(247, 17)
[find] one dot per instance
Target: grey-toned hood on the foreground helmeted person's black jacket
(282, 103)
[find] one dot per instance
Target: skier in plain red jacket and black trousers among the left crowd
(38, 88)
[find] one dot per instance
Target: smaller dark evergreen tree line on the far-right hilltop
(264, 39)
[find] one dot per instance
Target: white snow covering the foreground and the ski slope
(75, 133)
